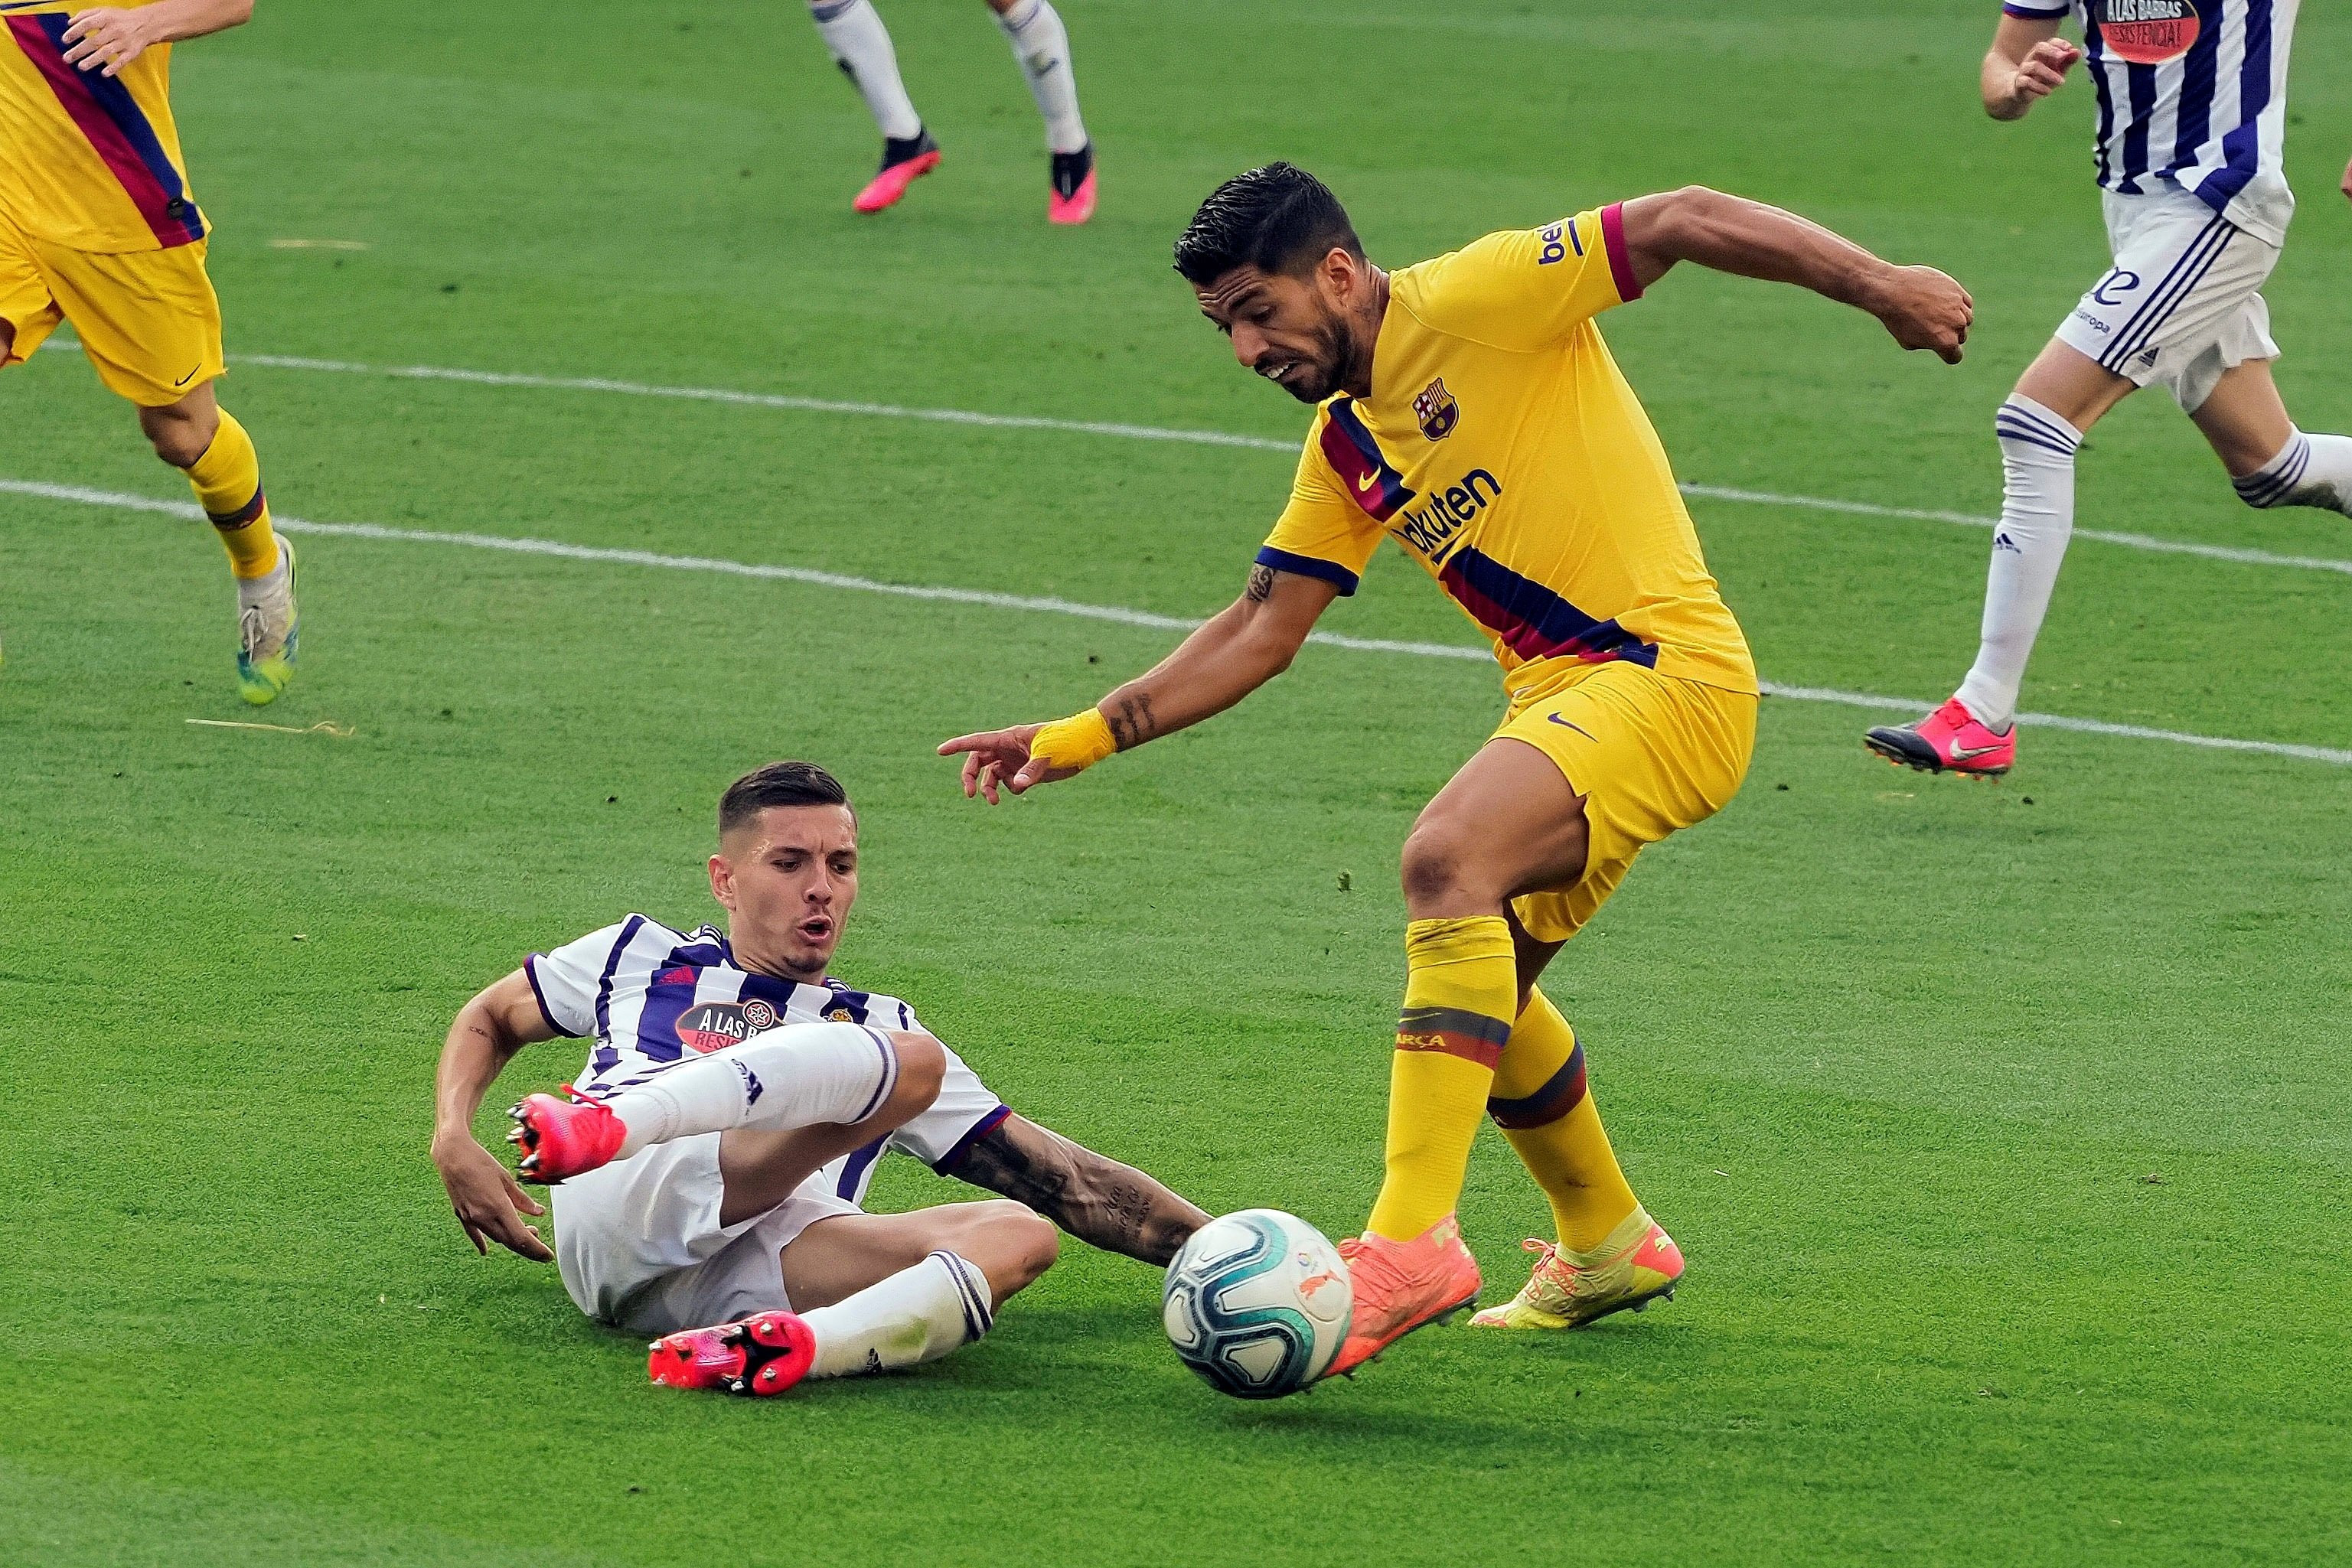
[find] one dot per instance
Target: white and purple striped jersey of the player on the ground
(653, 998)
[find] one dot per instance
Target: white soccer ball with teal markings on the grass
(1257, 1304)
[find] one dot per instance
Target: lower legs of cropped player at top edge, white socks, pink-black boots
(862, 48)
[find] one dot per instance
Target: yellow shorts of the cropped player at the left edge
(147, 321)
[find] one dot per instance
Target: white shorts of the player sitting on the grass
(641, 1245)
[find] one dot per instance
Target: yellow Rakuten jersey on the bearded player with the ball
(1506, 455)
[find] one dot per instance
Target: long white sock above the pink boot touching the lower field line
(2029, 547)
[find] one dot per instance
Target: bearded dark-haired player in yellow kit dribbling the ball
(1471, 413)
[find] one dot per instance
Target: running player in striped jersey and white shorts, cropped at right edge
(2191, 138)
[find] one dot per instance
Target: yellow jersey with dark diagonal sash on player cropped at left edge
(88, 161)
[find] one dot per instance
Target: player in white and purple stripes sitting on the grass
(711, 1165)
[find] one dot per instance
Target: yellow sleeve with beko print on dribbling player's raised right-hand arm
(1525, 288)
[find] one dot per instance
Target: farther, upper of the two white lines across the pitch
(1196, 438)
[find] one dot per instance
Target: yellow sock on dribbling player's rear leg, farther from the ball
(1544, 1108)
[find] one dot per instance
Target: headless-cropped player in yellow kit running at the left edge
(100, 229)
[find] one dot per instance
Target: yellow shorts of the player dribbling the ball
(1648, 751)
